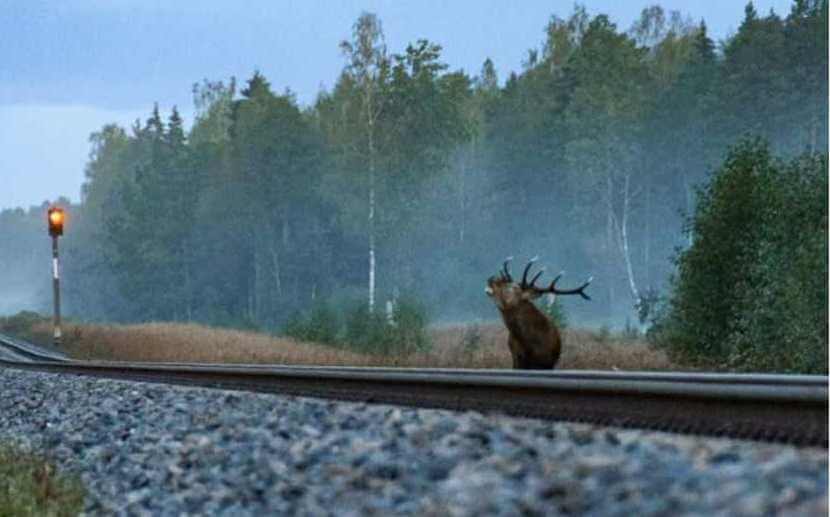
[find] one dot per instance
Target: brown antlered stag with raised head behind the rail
(534, 342)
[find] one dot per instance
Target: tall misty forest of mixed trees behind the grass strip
(407, 178)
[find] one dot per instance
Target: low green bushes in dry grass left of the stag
(351, 325)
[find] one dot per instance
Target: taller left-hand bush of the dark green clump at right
(712, 274)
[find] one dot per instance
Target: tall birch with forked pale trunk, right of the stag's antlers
(606, 115)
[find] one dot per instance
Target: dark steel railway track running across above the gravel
(780, 408)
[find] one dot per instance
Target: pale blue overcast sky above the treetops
(68, 67)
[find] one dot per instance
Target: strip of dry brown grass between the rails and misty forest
(457, 346)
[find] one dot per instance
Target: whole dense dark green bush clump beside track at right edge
(751, 292)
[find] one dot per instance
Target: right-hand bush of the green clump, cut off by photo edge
(783, 320)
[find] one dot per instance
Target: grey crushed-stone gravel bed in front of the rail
(166, 450)
